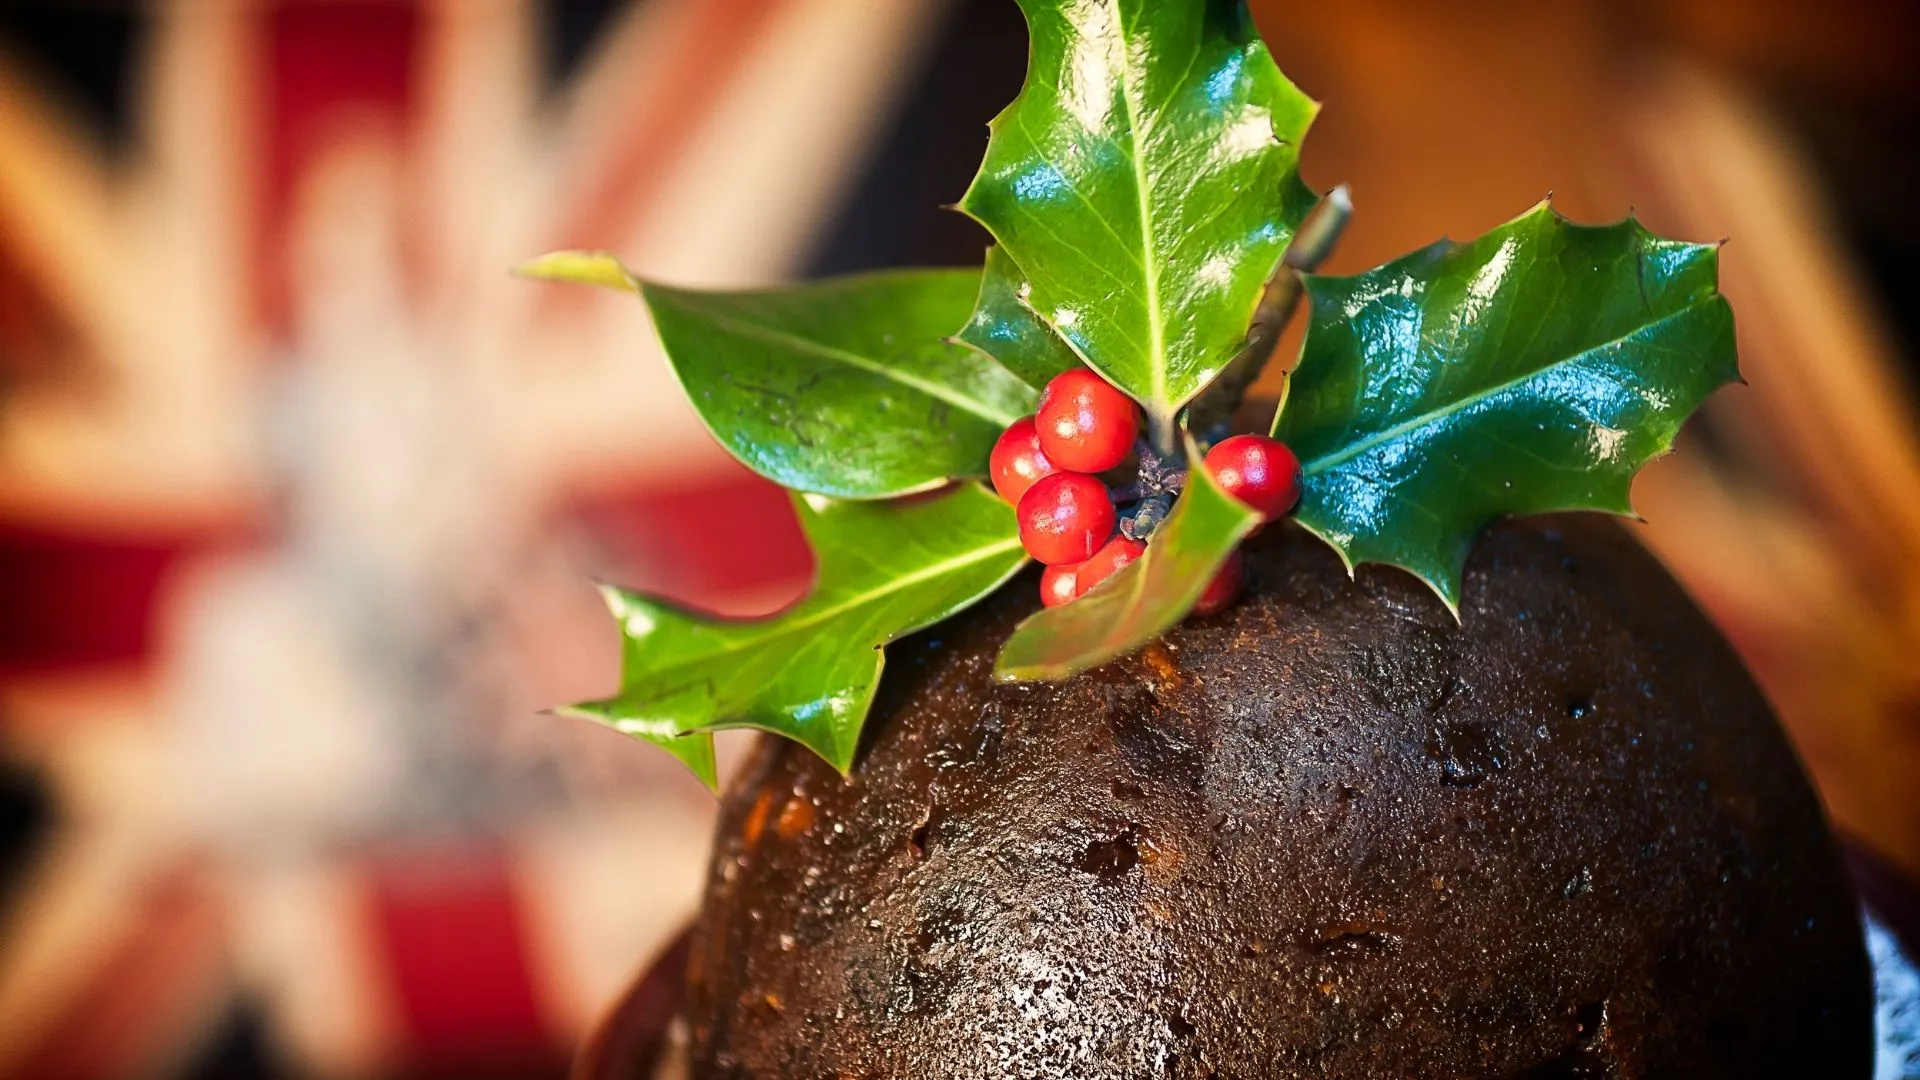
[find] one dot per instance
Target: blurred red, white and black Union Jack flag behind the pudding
(300, 499)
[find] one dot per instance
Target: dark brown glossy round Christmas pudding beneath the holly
(1328, 833)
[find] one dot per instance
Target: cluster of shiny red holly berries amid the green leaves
(1049, 464)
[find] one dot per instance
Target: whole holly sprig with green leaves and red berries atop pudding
(1151, 237)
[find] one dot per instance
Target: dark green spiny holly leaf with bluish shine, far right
(1533, 370)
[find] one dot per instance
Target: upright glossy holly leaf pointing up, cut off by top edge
(1147, 184)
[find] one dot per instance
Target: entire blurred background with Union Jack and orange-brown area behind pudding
(300, 495)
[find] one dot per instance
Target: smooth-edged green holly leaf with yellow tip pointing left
(844, 387)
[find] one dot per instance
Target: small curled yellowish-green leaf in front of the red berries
(1145, 599)
